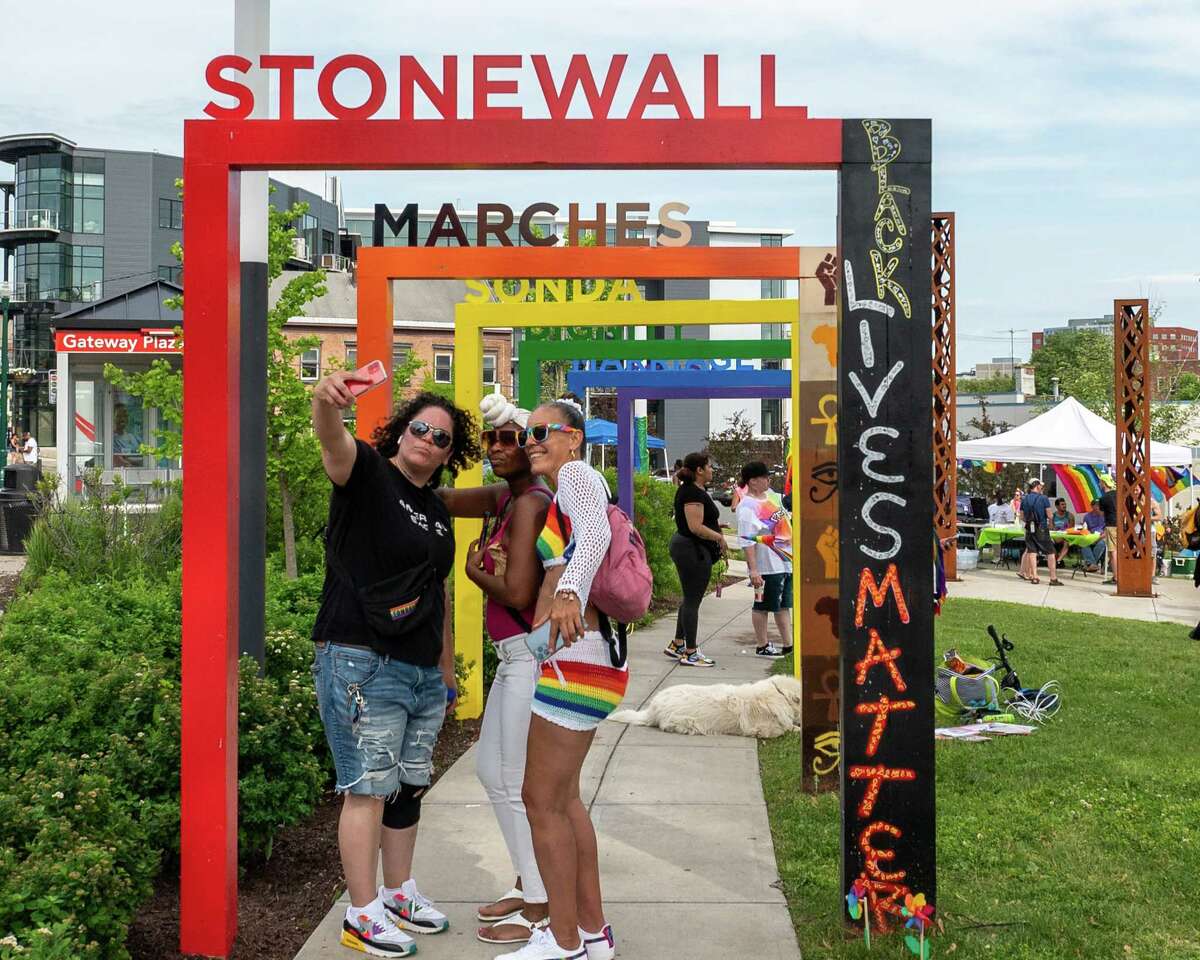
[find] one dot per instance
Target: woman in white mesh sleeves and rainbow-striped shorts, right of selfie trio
(579, 686)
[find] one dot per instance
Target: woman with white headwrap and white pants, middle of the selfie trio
(506, 567)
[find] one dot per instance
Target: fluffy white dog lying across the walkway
(766, 709)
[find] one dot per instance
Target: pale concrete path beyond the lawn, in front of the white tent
(1175, 602)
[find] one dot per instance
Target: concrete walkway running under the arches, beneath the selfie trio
(686, 853)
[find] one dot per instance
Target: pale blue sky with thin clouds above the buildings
(1065, 131)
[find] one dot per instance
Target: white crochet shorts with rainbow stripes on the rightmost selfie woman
(579, 694)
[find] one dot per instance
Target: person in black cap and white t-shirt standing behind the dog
(761, 514)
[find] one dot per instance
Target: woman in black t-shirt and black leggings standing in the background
(695, 547)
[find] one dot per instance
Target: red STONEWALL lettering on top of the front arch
(491, 76)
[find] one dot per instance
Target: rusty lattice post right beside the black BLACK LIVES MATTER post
(945, 389)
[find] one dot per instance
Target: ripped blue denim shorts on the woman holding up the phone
(382, 718)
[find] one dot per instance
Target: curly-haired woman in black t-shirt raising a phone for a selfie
(385, 652)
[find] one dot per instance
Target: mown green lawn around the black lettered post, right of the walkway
(1079, 842)
